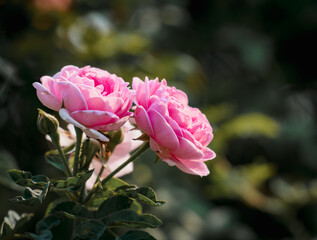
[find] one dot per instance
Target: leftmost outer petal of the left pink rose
(46, 98)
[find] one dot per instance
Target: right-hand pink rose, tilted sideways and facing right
(179, 134)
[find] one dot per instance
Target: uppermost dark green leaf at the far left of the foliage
(26, 179)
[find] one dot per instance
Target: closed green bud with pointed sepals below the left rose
(48, 124)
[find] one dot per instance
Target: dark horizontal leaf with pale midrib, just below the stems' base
(71, 210)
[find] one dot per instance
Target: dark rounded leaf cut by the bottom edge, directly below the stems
(91, 229)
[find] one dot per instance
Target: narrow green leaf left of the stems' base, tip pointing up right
(76, 181)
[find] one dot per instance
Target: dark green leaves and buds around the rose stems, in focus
(111, 203)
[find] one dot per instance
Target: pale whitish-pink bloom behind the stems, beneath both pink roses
(120, 154)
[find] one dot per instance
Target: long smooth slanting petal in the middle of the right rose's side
(163, 133)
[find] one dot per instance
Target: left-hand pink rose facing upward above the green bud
(92, 99)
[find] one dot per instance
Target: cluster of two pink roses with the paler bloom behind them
(98, 102)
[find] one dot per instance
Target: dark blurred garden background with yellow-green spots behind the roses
(249, 65)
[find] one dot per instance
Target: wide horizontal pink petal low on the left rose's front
(92, 118)
